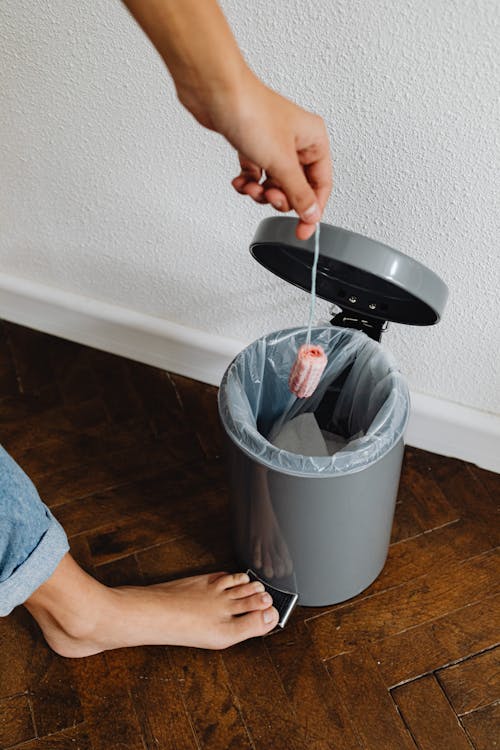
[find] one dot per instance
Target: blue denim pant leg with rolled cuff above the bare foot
(32, 542)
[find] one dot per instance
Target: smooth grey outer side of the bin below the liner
(325, 538)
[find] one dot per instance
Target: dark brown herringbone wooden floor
(129, 459)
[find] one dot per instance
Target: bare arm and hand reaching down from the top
(271, 134)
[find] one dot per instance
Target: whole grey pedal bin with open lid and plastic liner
(320, 525)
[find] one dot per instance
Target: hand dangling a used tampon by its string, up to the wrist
(283, 150)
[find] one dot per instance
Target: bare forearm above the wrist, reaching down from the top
(196, 43)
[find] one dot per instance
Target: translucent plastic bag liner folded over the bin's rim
(361, 393)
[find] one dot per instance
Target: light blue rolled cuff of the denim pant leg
(36, 568)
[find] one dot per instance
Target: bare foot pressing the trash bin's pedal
(79, 616)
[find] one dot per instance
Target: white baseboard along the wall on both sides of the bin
(436, 425)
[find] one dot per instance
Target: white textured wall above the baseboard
(110, 189)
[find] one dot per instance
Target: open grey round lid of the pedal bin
(354, 272)
